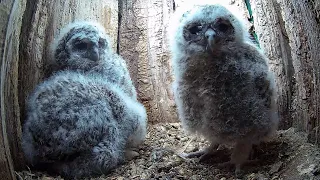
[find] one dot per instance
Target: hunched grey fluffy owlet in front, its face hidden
(81, 125)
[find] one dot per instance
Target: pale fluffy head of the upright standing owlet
(206, 27)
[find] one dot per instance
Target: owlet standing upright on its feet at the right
(223, 88)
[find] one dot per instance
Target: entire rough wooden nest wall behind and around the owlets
(288, 31)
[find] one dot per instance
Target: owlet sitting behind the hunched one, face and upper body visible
(85, 46)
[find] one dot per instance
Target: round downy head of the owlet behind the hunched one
(80, 46)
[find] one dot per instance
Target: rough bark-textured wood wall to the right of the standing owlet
(289, 32)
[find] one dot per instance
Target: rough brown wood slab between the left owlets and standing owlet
(142, 43)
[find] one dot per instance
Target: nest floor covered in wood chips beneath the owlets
(288, 156)
